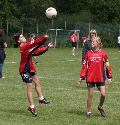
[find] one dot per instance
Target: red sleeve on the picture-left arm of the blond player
(84, 68)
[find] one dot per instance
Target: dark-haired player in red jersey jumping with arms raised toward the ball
(27, 69)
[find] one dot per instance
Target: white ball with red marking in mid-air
(51, 13)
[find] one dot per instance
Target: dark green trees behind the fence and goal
(28, 15)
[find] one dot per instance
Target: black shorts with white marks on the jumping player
(27, 77)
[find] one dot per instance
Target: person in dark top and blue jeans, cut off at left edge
(3, 44)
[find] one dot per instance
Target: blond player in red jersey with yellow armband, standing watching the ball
(93, 71)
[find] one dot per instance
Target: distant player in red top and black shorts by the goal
(74, 39)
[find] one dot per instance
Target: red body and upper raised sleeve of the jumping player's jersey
(25, 50)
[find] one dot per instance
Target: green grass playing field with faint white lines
(58, 72)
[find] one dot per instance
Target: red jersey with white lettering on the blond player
(93, 66)
